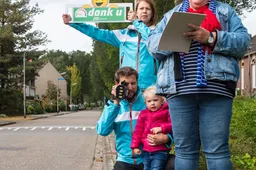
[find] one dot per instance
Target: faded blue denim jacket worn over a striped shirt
(222, 64)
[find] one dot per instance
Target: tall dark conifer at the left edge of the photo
(16, 37)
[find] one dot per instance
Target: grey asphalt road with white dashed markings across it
(64, 142)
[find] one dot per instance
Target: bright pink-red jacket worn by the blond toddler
(148, 120)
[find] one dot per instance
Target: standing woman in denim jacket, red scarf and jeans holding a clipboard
(201, 102)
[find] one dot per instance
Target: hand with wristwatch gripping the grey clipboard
(199, 34)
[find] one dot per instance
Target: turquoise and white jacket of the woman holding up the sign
(127, 42)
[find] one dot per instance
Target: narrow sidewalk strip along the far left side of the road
(19, 119)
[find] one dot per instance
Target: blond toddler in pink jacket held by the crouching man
(154, 119)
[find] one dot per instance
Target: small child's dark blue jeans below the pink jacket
(155, 160)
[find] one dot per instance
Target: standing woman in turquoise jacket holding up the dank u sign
(127, 41)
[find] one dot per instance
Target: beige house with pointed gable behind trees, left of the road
(49, 73)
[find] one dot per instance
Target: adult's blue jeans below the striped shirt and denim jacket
(201, 119)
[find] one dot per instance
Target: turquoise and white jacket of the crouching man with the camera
(122, 119)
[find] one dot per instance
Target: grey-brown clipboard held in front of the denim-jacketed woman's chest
(172, 38)
